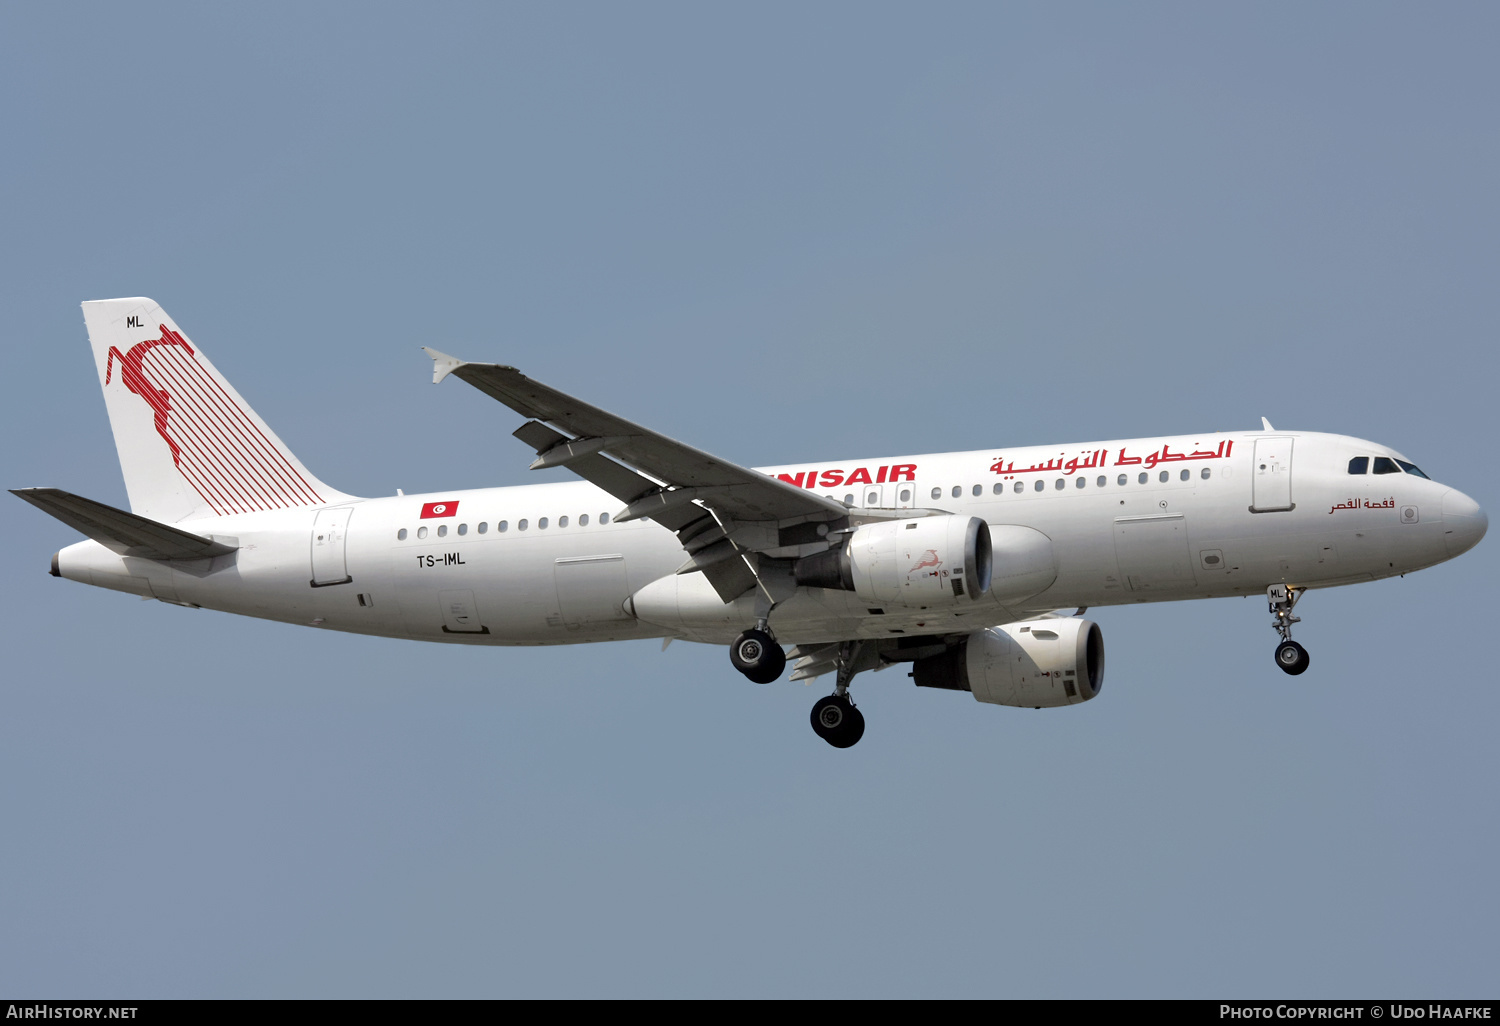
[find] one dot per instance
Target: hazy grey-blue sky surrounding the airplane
(781, 233)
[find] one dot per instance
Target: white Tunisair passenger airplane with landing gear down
(961, 566)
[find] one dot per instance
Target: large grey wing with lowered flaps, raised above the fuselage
(664, 479)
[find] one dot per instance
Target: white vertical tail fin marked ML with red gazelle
(190, 446)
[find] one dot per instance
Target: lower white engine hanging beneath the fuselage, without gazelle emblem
(1040, 664)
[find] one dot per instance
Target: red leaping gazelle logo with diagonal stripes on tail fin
(217, 446)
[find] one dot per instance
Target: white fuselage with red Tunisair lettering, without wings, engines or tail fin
(1127, 521)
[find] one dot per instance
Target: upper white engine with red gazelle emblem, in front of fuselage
(919, 563)
